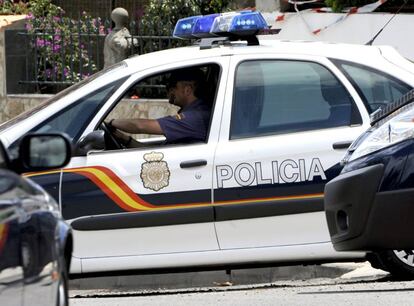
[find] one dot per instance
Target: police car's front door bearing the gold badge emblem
(144, 201)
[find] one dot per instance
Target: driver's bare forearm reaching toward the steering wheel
(134, 126)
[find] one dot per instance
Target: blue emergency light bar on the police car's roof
(233, 24)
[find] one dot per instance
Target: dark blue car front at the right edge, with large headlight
(370, 205)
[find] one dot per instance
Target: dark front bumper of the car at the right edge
(362, 218)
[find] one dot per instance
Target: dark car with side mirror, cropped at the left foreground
(35, 242)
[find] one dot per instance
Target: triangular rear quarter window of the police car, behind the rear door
(376, 88)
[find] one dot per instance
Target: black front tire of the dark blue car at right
(400, 263)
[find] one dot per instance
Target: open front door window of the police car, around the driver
(149, 98)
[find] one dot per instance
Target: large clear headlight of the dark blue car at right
(395, 128)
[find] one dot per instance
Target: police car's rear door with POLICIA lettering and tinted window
(289, 122)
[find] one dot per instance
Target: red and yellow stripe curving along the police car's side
(127, 199)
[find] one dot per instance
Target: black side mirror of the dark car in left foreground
(39, 152)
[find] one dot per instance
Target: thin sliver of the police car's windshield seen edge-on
(112, 69)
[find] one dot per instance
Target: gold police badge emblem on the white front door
(154, 172)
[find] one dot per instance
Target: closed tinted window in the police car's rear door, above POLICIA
(282, 96)
